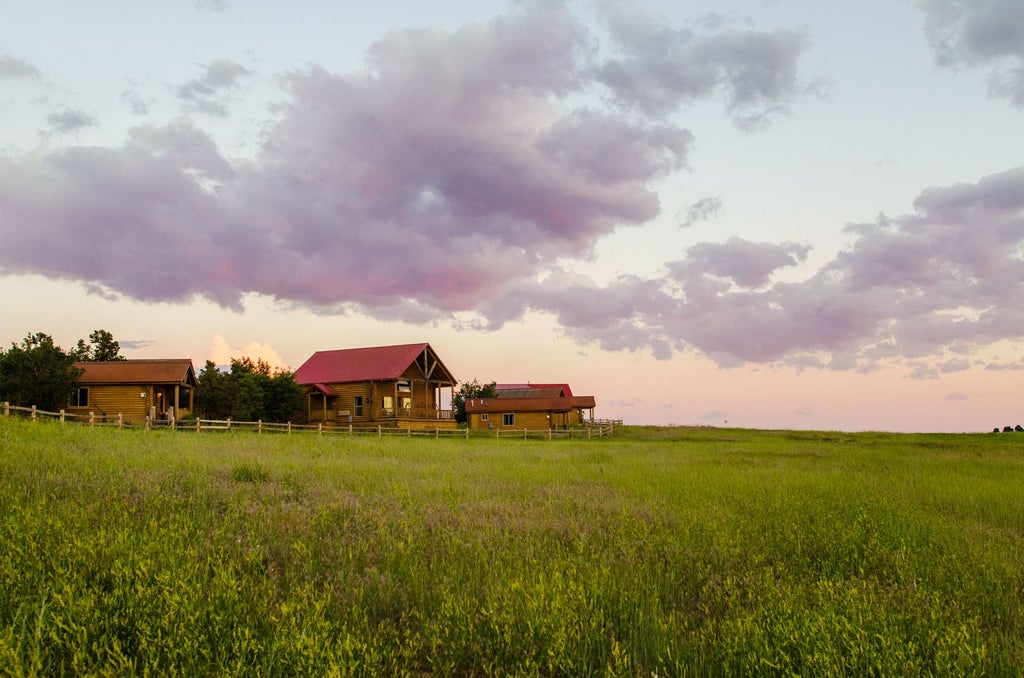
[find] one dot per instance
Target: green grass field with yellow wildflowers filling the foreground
(656, 553)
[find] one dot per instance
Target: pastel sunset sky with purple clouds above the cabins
(766, 214)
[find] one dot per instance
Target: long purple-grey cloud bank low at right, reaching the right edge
(940, 284)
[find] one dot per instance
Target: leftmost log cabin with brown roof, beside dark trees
(137, 390)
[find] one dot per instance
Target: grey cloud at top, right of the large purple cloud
(661, 67)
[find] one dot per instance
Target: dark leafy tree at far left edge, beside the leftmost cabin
(38, 372)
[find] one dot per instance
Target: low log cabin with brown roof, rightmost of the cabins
(530, 406)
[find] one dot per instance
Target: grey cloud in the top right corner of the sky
(980, 33)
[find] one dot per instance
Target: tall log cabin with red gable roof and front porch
(394, 387)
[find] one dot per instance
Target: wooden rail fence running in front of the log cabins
(593, 430)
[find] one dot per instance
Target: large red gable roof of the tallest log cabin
(371, 364)
